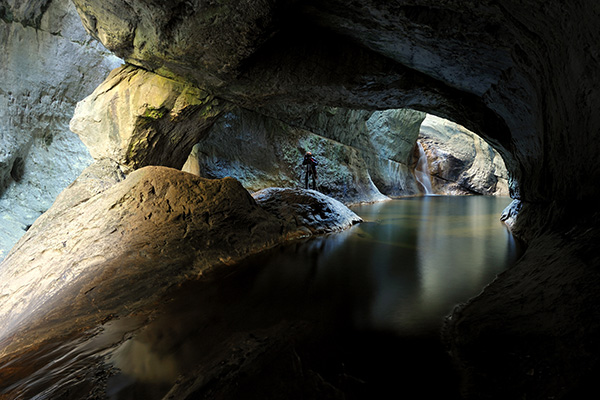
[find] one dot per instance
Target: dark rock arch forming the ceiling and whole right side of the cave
(523, 74)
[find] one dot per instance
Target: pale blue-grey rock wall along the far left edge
(48, 62)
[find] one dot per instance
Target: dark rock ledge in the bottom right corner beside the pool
(535, 325)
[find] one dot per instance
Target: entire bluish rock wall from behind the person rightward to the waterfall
(363, 156)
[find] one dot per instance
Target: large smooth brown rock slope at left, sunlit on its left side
(106, 242)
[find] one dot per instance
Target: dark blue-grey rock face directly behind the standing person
(264, 152)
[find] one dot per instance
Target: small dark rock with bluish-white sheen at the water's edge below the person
(306, 212)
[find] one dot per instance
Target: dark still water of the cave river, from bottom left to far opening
(373, 297)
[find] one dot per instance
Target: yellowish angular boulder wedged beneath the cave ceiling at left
(138, 118)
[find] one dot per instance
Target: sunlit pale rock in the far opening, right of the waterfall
(460, 162)
